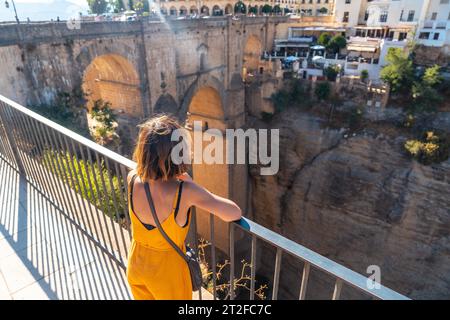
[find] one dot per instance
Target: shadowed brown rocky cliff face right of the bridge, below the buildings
(360, 201)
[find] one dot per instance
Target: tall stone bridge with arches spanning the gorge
(186, 67)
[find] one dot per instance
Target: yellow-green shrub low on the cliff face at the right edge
(431, 148)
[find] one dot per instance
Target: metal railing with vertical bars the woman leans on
(88, 183)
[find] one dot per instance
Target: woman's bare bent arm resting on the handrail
(224, 208)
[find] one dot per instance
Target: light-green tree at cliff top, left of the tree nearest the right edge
(399, 72)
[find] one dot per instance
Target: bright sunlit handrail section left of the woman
(77, 137)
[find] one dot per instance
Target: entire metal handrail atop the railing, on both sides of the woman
(308, 256)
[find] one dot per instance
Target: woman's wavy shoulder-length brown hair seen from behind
(154, 147)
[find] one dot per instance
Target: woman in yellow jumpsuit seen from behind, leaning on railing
(155, 270)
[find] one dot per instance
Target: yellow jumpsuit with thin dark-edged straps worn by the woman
(155, 270)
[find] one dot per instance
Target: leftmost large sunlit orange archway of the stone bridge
(113, 78)
